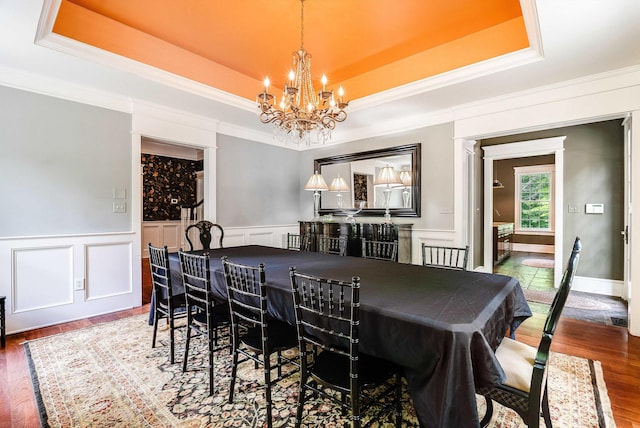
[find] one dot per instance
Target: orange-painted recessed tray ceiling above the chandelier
(365, 45)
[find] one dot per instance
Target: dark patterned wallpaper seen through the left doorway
(164, 179)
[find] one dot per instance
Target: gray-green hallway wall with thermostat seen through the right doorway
(593, 173)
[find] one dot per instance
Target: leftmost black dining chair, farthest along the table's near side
(166, 304)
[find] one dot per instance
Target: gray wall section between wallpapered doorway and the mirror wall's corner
(258, 184)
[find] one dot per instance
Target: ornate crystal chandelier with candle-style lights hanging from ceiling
(302, 115)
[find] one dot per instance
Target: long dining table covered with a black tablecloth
(442, 326)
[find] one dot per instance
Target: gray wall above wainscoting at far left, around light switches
(59, 164)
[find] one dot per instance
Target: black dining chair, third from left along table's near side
(261, 333)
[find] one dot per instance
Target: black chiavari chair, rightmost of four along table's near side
(328, 321)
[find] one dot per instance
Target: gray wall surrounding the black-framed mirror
(437, 173)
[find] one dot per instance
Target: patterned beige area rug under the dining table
(109, 376)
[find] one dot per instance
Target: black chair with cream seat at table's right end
(525, 367)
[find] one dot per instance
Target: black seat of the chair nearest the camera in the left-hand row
(332, 368)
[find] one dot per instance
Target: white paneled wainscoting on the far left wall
(54, 279)
